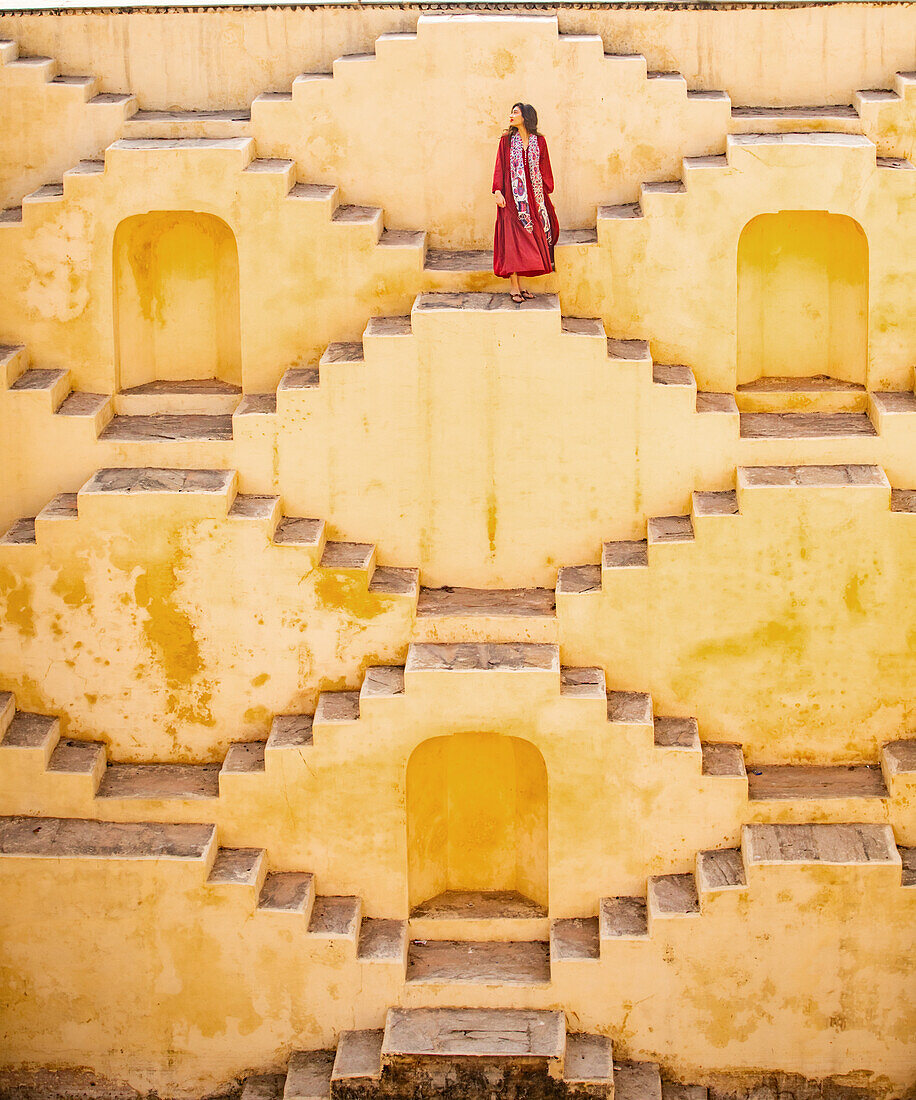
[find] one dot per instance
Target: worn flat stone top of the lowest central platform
(483, 1033)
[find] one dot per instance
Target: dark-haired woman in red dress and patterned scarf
(526, 222)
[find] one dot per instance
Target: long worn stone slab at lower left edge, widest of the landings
(74, 839)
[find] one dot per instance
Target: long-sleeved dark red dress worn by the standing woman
(515, 249)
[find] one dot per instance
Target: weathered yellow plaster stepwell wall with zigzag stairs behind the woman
(487, 447)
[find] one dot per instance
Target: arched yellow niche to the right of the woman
(803, 298)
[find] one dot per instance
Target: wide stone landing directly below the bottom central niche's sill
(488, 963)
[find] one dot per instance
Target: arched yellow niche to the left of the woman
(176, 299)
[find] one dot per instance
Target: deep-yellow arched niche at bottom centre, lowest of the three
(477, 818)
